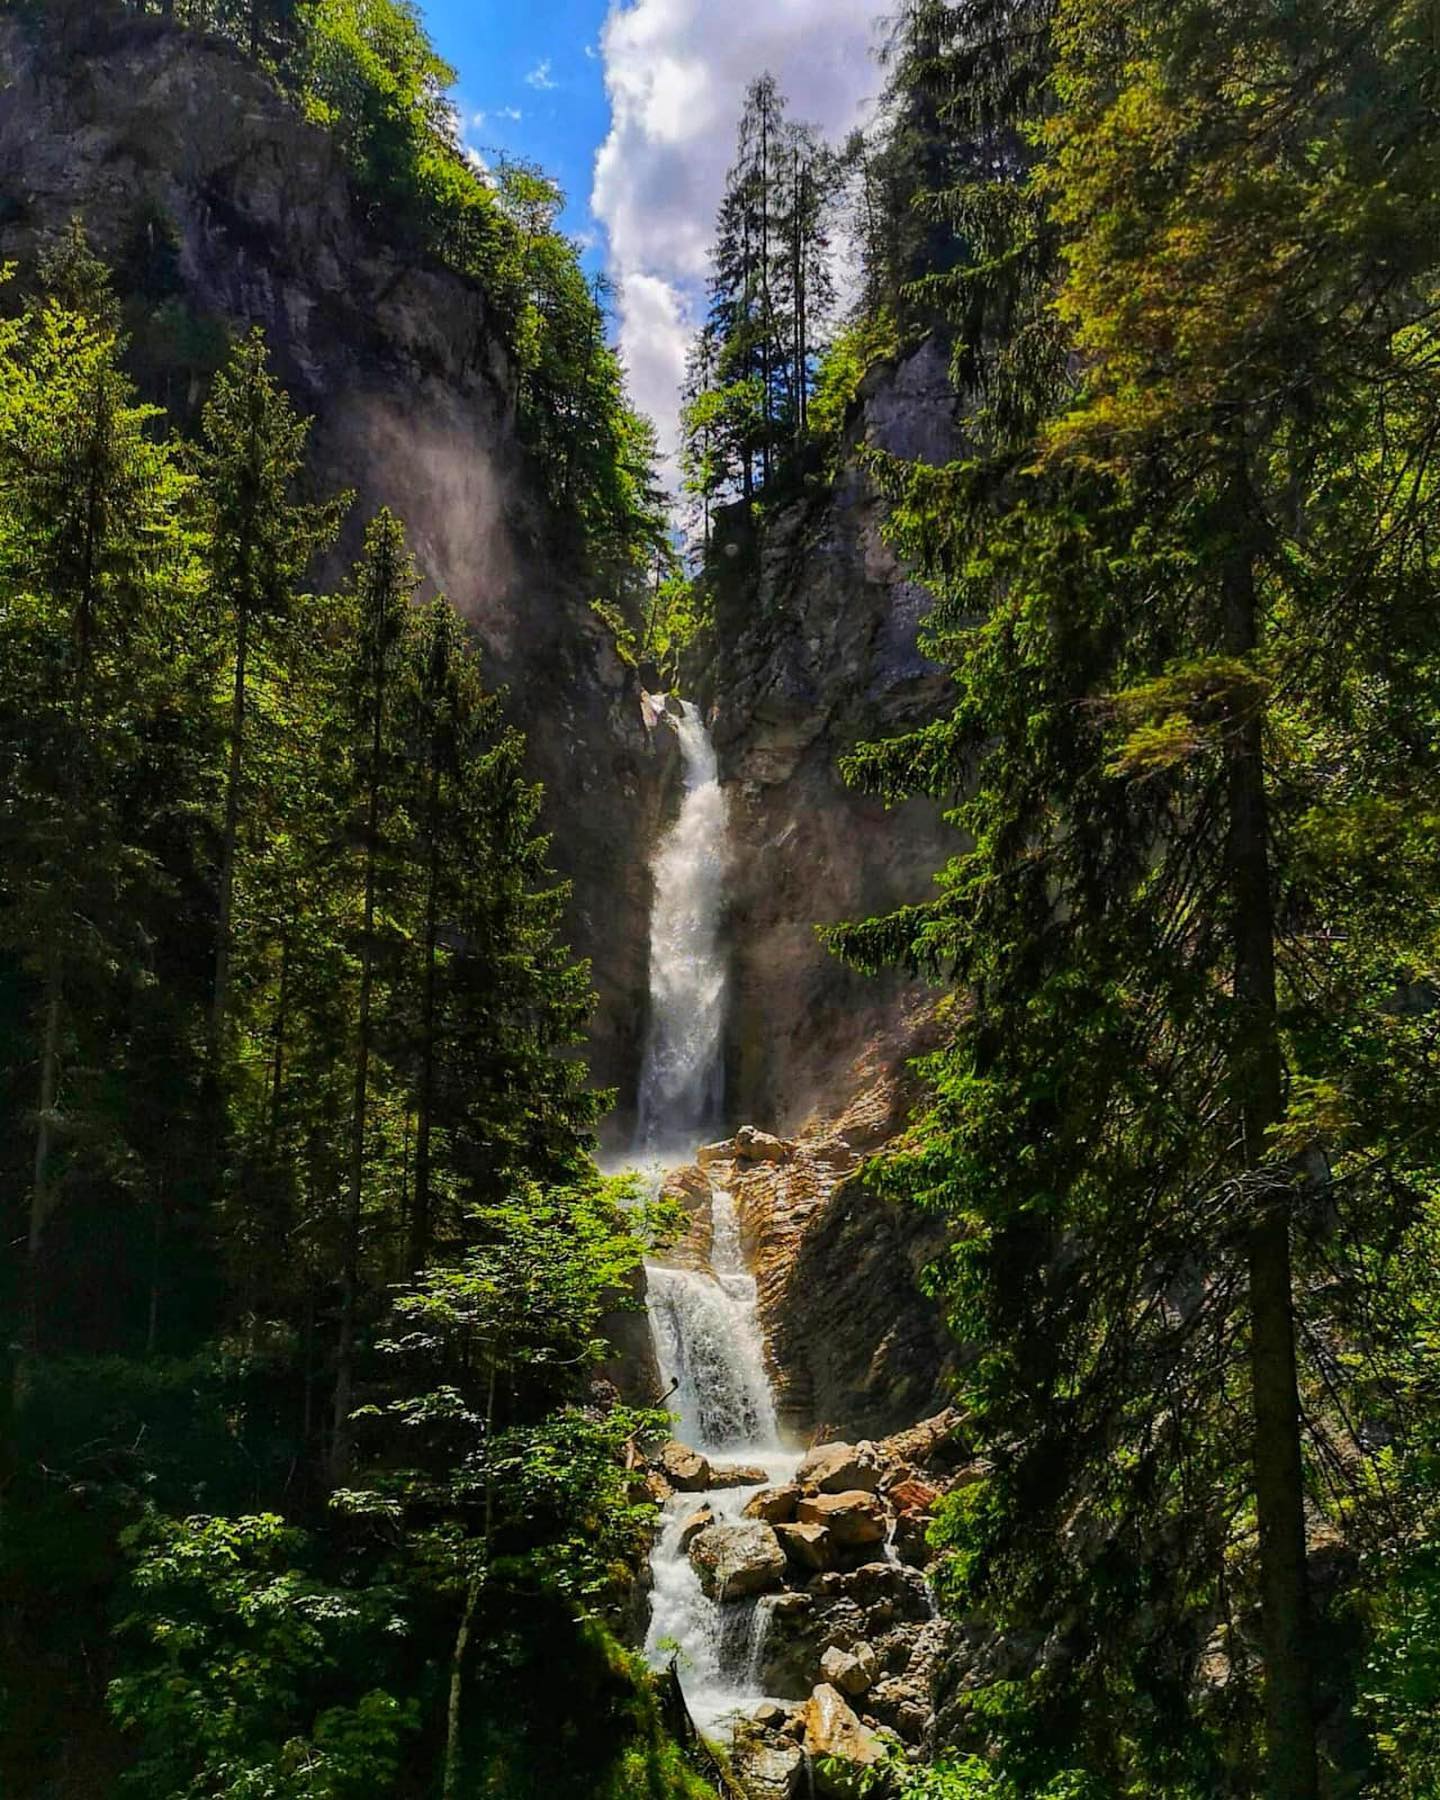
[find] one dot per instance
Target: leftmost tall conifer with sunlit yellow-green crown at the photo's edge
(94, 553)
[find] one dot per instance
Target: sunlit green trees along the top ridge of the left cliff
(370, 76)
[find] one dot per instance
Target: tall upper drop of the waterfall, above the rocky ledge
(681, 1081)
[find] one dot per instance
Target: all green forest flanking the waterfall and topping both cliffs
(314, 1480)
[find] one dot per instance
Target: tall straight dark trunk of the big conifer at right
(1257, 1075)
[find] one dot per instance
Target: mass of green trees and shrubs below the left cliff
(296, 1135)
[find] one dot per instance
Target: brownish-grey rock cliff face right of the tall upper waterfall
(816, 654)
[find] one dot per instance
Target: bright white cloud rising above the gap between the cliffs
(676, 73)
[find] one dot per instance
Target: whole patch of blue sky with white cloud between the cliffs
(633, 105)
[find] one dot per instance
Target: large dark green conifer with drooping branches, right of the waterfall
(1162, 600)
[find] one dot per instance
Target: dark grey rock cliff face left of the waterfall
(152, 134)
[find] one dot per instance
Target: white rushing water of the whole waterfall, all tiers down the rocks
(705, 1322)
